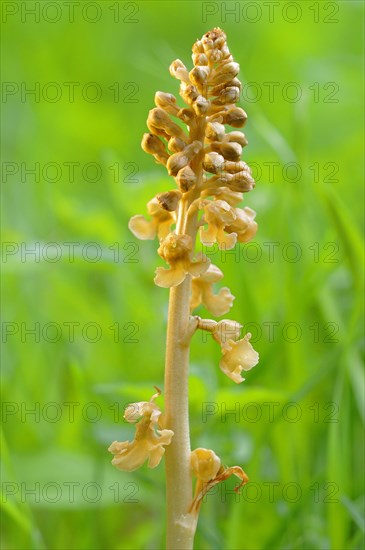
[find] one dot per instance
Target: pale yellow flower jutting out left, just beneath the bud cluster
(159, 225)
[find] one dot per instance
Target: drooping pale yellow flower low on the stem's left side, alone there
(149, 441)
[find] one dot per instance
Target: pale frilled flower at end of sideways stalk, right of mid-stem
(238, 356)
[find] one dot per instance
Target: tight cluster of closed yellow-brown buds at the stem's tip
(210, 91)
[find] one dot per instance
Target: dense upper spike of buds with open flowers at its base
(204, 159)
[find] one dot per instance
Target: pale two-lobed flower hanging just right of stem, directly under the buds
(217, 214)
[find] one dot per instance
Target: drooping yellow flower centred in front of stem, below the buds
(176, 251)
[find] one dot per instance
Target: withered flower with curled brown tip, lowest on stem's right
(209, 471)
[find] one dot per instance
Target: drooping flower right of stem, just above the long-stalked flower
(202, 293)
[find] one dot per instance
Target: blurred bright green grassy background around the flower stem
(99, 320)
